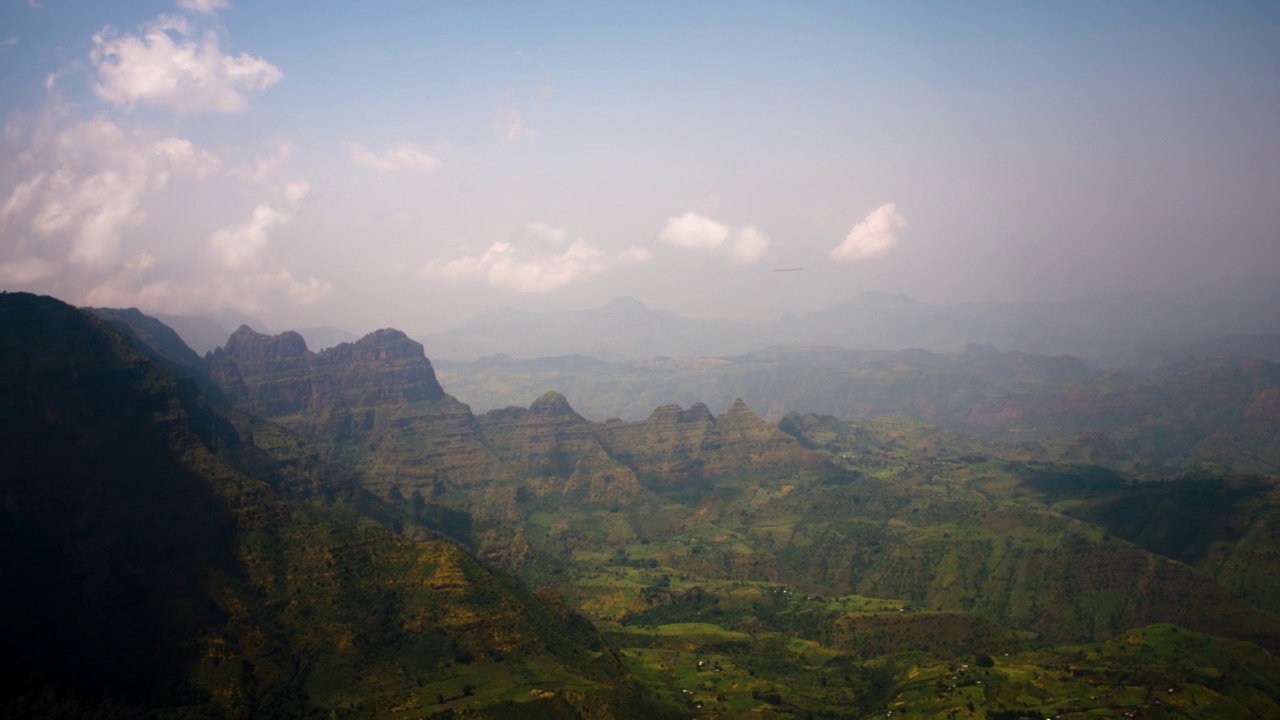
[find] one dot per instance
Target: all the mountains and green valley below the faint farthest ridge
(267, 531)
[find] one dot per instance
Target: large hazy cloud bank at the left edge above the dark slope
(77, 222)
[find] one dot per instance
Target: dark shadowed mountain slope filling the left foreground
(150, 572)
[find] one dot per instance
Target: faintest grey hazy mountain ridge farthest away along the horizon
(628, 330)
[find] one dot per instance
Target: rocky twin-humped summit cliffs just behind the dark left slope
(277, 376)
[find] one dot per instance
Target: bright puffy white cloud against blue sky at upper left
(166, 66)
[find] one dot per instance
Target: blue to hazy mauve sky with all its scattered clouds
(413, 165)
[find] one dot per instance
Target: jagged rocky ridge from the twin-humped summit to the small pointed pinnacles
(377, 404)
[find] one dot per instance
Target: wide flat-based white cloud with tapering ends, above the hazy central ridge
(541, 258)
